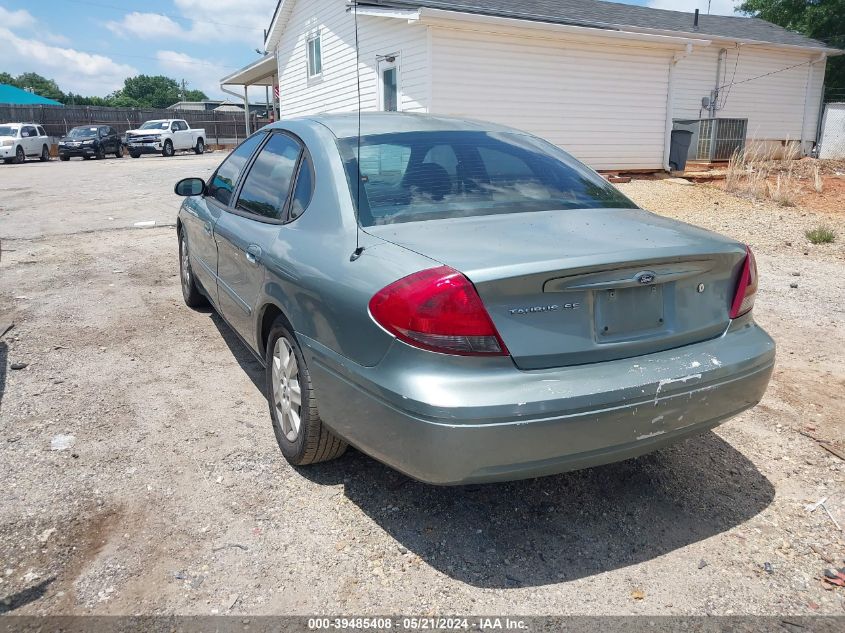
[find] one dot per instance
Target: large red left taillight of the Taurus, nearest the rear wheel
(437, 309)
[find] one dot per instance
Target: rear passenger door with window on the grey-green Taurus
(247, 232)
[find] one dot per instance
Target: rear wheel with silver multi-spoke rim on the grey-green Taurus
(300, 432)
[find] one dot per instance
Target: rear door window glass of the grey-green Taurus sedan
(267, 185)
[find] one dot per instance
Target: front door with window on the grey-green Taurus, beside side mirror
(202, 213)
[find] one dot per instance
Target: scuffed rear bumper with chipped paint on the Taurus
(458, 421)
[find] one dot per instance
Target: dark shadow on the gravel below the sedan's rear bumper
(564, 527)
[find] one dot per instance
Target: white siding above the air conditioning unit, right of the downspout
(774, 104)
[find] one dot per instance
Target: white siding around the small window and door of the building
(336, 89)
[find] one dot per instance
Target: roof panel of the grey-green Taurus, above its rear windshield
(346, 125)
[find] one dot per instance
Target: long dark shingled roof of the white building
(613, 15)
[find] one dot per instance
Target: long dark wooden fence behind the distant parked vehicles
(221, 128)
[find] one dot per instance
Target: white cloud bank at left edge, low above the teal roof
(73, 70)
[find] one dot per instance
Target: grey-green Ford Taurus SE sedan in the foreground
(475, 306)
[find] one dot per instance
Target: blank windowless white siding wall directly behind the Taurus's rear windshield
(603, 102)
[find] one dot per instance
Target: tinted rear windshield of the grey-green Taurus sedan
(413, 176)
